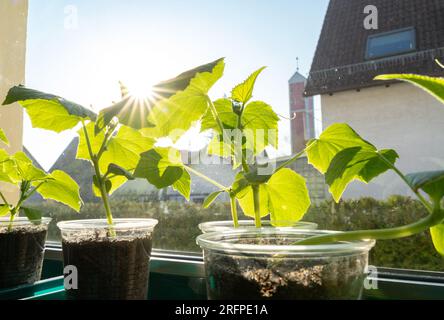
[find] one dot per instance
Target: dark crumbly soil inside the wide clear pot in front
(237, 277)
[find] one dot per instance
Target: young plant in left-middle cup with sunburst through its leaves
(113, 140)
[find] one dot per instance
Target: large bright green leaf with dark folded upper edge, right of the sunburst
(175, 115)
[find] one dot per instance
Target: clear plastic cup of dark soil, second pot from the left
(112, 262)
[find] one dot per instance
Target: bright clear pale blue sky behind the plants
(79, 49)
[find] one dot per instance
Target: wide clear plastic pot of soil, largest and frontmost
(266, 264)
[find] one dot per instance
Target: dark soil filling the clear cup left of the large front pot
(110, 269)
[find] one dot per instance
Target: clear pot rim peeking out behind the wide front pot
(213, 226)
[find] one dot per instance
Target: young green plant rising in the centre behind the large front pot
(242, 129)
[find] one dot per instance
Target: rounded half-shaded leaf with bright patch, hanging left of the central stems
(162, 167)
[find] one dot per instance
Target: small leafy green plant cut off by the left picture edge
(18, 170)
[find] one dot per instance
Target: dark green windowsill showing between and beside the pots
(188, 284)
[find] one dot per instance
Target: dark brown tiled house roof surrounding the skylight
(339, 63)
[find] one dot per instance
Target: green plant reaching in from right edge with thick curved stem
(343, 156)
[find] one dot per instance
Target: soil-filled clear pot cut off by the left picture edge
(22, 247)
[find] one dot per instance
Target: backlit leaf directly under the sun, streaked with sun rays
(131, 111)
